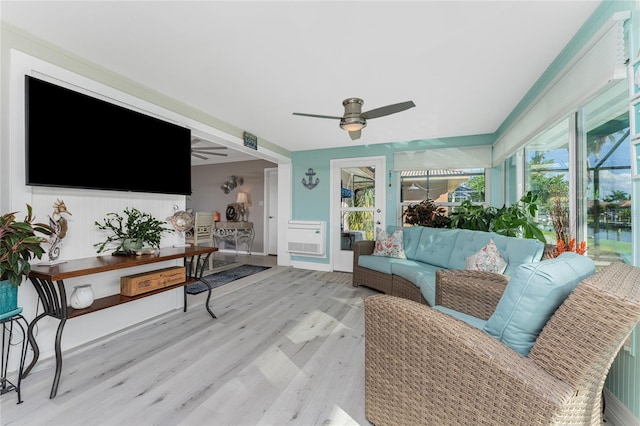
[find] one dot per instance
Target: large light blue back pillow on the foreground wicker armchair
(532, 295)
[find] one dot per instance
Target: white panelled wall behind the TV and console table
(86, 206)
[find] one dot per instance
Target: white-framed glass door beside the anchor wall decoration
(357, 206)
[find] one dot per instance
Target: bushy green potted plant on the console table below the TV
(131, 231)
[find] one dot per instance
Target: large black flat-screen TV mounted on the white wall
(77, 141)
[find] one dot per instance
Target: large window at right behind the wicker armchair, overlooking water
(581, 170)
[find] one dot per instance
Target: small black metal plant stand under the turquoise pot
(8, 320)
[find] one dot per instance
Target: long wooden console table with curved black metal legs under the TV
(49, 284)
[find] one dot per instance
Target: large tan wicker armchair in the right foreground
(424, 367)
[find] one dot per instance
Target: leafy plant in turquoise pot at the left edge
(18, 245)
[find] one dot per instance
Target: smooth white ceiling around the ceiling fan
(465, 64)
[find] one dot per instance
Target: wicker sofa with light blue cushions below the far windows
(429, 250)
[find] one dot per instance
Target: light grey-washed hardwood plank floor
(287, 348)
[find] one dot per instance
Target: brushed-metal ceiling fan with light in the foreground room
(354, 120)
